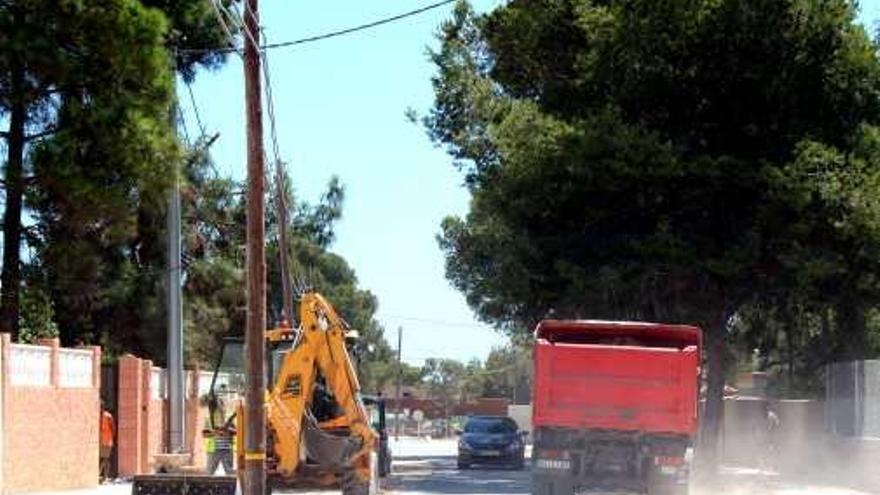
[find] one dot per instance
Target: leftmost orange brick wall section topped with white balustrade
(50, 437)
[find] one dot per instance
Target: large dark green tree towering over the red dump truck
(666, 161)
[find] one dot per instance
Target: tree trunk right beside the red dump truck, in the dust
(713, 413)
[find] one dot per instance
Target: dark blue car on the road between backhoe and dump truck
(492, 440)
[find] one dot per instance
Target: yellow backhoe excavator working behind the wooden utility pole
(319, 430)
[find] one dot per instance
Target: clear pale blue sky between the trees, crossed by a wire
(340, 107)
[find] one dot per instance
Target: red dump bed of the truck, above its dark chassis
(616, 375)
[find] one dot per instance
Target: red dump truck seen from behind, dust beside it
(614, 407)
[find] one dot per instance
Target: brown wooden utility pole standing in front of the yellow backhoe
(255, 338)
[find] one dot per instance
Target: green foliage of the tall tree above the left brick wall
(92, 84)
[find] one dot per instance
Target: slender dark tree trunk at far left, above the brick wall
(11, 274)
